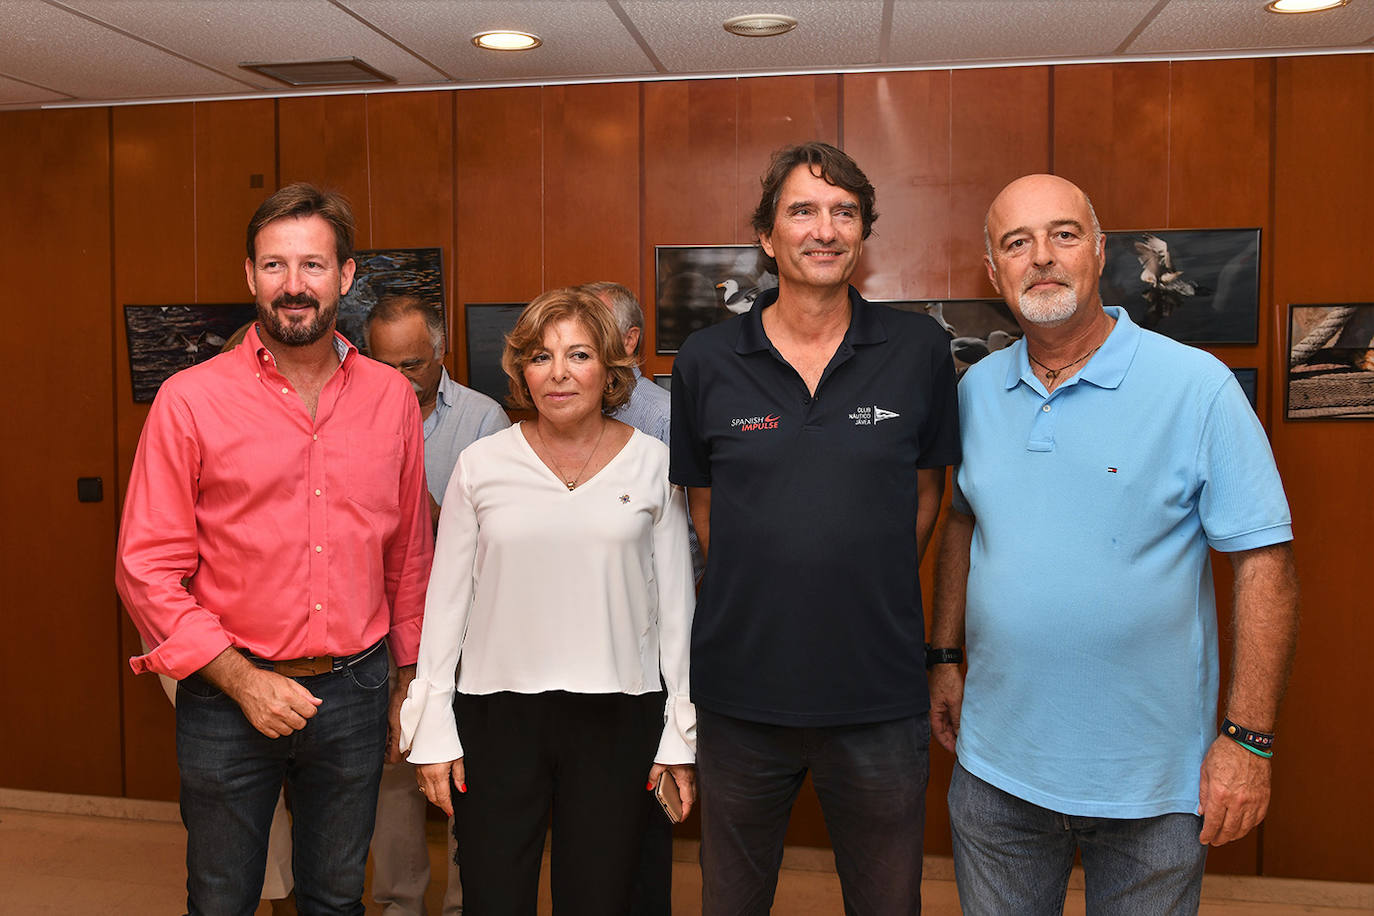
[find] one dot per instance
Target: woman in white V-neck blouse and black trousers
(563, 583)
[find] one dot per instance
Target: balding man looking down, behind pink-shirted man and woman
(410, 337)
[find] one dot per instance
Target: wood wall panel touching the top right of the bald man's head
(1112, 139)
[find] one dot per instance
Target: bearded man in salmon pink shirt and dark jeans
(275, 547)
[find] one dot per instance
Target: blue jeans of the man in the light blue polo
(1015, 858)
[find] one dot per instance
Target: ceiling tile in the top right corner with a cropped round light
(1197, 25)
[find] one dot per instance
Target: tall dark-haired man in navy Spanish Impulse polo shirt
(813, 435)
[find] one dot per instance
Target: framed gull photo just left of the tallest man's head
(700, 285)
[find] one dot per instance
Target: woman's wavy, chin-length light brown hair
(574, 304)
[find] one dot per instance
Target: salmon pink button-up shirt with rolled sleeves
(299, 538)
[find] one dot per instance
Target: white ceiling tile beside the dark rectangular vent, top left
(225, 35)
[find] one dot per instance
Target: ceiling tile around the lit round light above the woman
(582, 38)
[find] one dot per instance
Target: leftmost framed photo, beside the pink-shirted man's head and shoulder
(166, 340)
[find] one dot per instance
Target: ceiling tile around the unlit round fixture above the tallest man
(688, 36)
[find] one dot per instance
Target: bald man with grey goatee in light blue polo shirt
(1101, 462)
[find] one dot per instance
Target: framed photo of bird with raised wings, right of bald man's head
(1197, 286)
